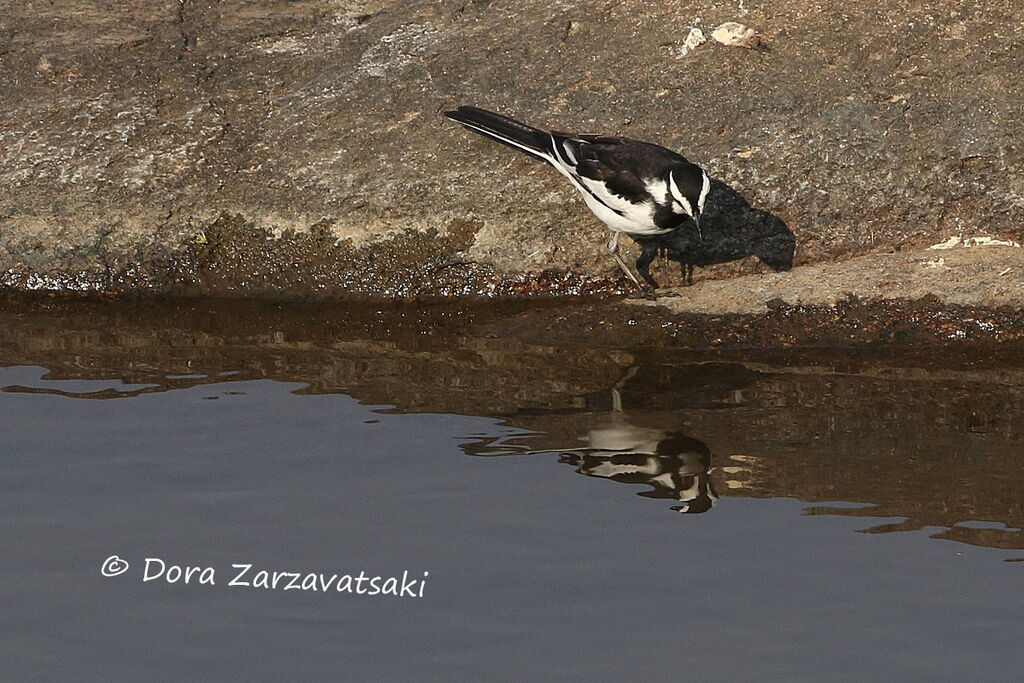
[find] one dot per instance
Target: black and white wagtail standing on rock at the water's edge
(644, 190)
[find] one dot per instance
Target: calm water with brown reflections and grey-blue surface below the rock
(544, 509)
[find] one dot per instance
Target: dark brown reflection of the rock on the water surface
(933, 444)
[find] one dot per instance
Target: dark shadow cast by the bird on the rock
(733, 230)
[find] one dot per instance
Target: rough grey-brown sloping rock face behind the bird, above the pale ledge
(132, 133)
